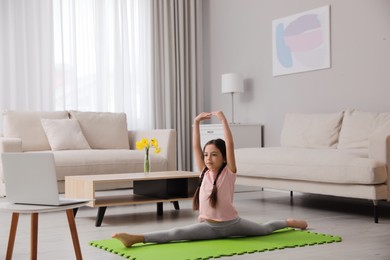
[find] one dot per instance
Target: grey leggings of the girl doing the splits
(213, 230)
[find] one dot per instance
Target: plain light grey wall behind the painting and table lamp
(237, 38)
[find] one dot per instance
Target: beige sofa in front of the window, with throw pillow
(84, 143)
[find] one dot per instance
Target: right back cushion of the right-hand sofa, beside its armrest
(358, 126)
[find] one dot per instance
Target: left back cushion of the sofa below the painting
(311, 130)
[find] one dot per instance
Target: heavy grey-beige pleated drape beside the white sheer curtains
(177, 76)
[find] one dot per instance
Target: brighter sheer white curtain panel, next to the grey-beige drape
(103, 57)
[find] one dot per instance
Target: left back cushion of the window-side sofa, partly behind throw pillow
(27, 126)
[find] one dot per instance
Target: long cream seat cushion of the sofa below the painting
(314, 165)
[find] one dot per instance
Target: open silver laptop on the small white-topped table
(30, 178)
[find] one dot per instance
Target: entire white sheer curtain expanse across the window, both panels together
(90, 55)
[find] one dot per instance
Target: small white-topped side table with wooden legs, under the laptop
(34, 210)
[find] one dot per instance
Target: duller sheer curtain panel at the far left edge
(26, 48)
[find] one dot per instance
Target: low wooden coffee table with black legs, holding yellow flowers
(155, 187)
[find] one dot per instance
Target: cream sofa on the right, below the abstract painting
(345, 154)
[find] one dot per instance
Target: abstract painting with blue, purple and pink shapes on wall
(301, 42)
